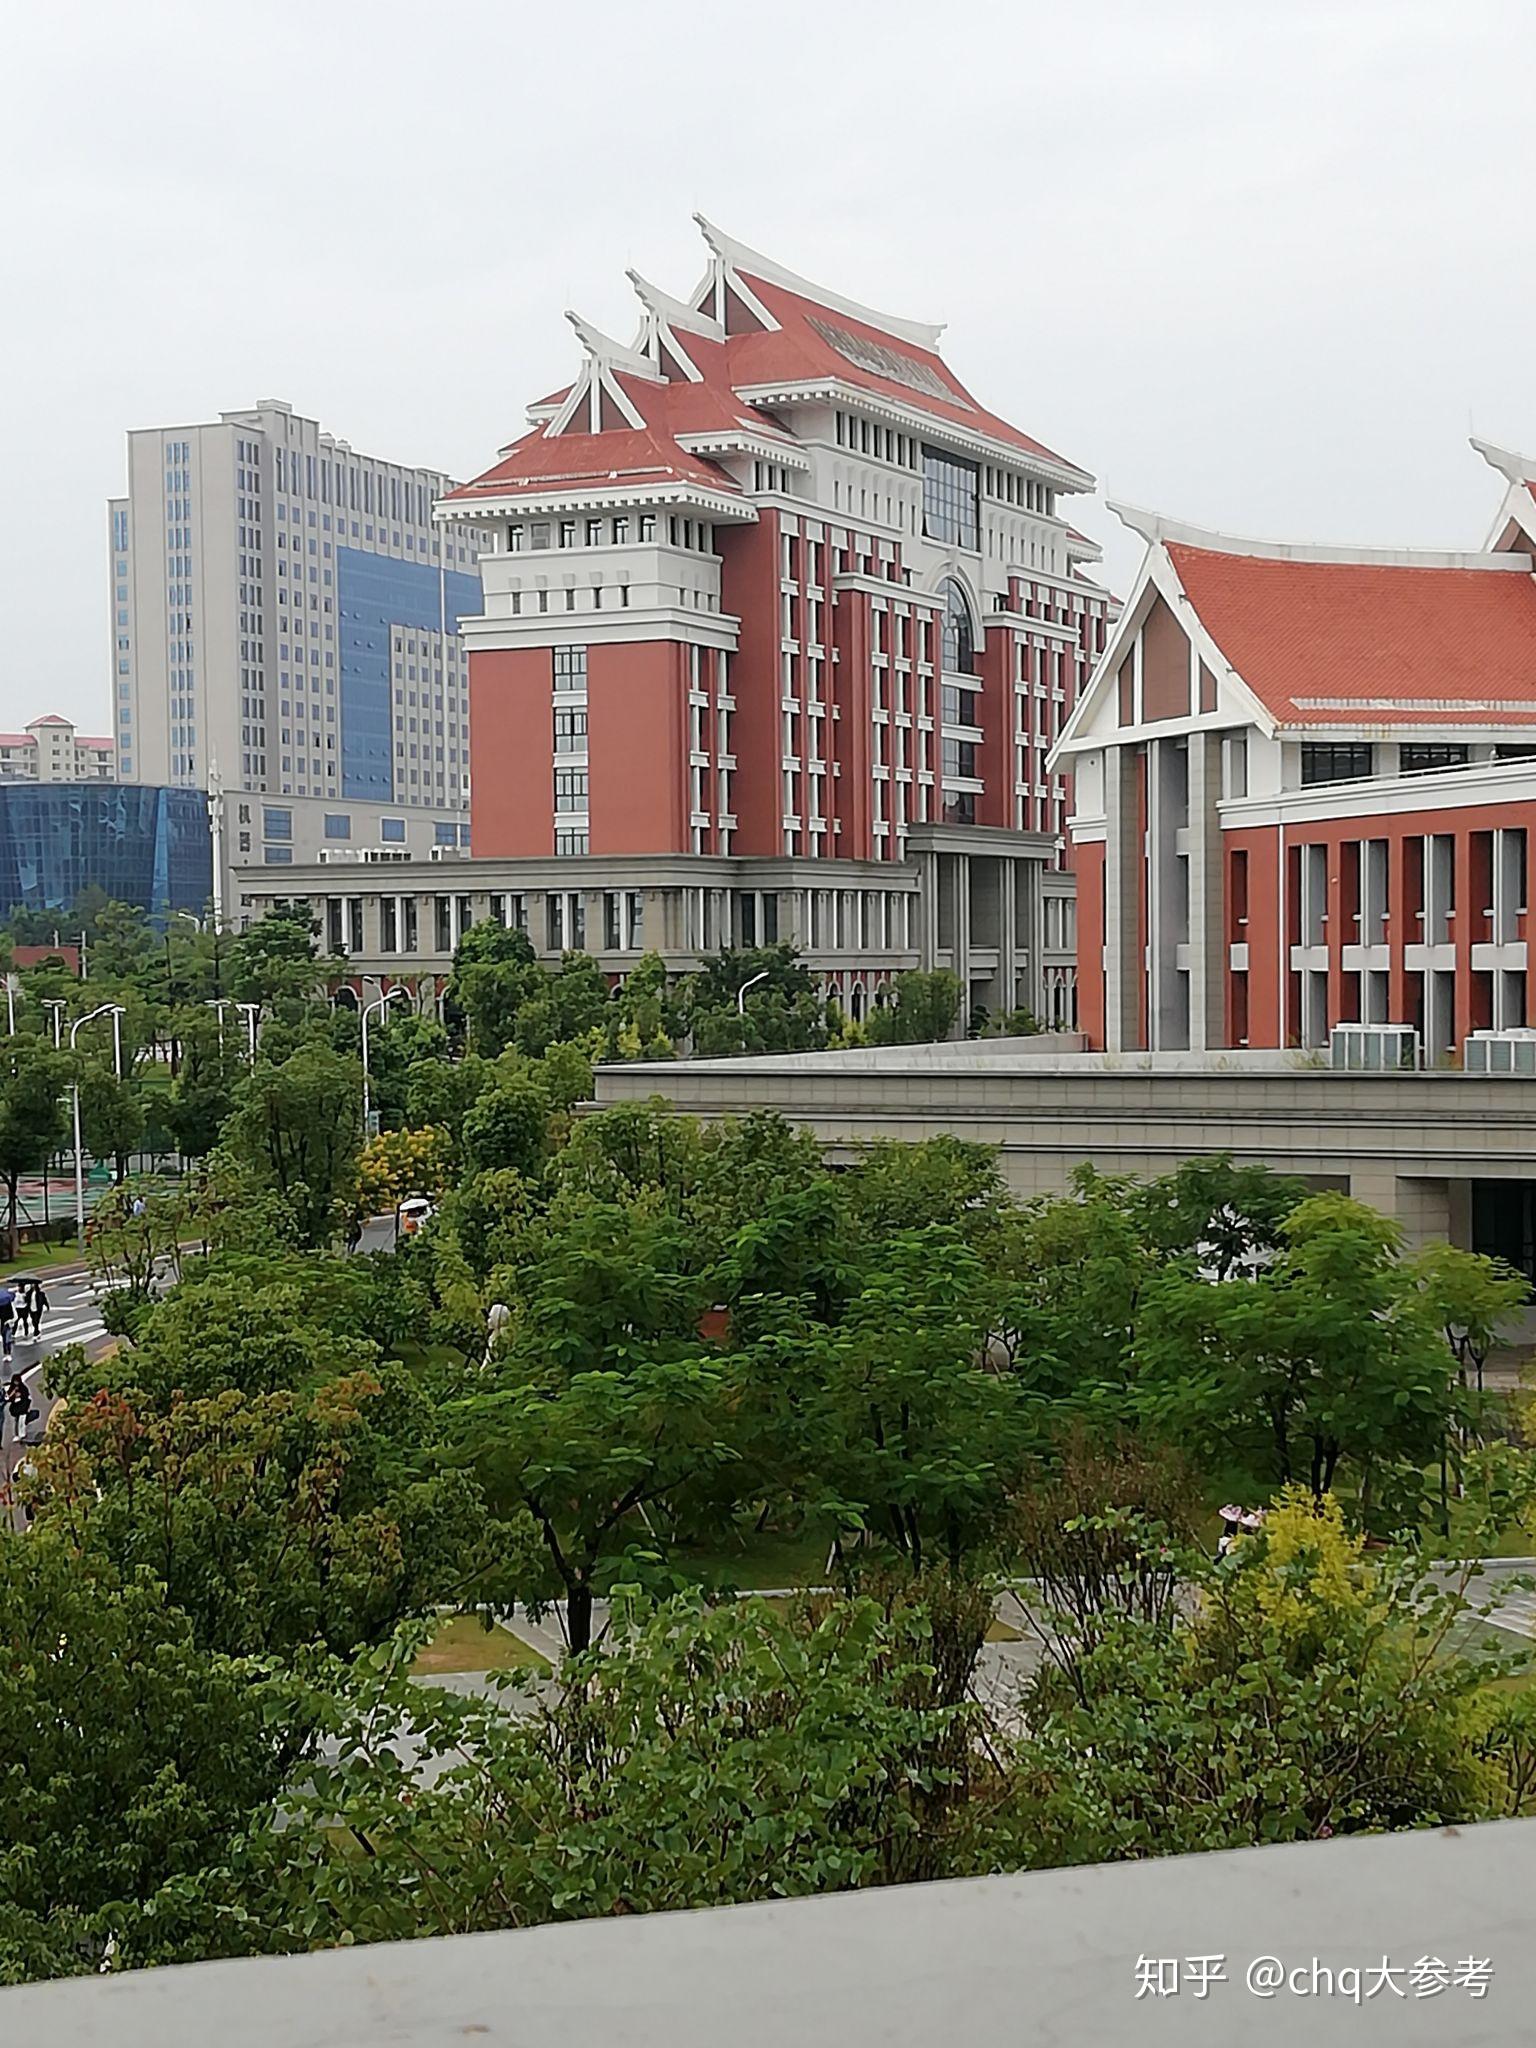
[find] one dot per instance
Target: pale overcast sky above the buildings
(1258, 267)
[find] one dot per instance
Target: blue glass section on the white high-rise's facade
(376, 595)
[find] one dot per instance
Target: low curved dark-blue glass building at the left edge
(142, 845)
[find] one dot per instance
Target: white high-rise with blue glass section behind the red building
(286, 630)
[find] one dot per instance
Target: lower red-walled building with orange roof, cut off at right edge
(1306, 794)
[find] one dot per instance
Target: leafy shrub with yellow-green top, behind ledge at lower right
(1299, 1693)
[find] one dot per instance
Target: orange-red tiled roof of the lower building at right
(1349, 642)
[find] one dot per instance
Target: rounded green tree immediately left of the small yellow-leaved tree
(298, 1125)
